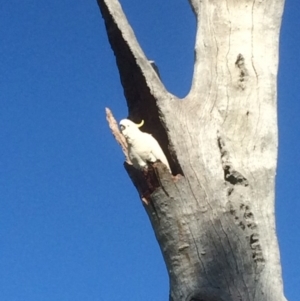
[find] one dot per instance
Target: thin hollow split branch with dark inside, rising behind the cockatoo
(144, 92)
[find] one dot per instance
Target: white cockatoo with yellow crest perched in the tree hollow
(142, 147)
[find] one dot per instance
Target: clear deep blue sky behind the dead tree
(71, 223)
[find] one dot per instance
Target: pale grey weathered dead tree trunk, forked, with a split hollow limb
(215, 223)
